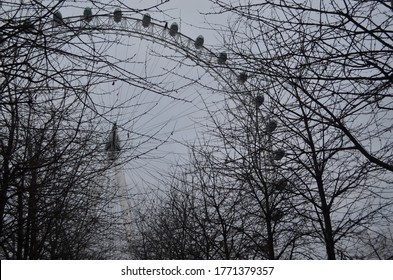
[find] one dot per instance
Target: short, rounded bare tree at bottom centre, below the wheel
(195, 221)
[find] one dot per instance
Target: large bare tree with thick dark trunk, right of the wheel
(323, 69)
